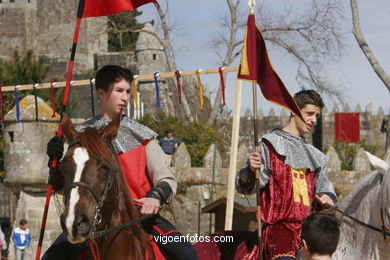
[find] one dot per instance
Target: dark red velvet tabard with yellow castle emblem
(285, 202)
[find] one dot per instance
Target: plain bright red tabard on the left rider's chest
(133, 164)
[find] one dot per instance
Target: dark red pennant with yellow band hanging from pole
(256, 67)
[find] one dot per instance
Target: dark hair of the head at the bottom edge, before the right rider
(321, 233)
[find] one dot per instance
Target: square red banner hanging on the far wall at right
(347, 127)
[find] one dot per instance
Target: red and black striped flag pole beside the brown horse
(53, 166)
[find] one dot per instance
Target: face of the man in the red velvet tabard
(310, 113)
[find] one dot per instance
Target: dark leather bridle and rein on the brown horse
(100, 200)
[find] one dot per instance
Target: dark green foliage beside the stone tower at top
(121, 27)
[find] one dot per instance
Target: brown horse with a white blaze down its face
(96, 197)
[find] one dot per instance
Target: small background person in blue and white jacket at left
(21, 239)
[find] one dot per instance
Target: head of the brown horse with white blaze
(89, 167)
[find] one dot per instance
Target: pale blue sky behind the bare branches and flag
(195, 23)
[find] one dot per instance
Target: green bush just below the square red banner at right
(347, 152)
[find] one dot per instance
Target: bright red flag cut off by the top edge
(94, 8)
